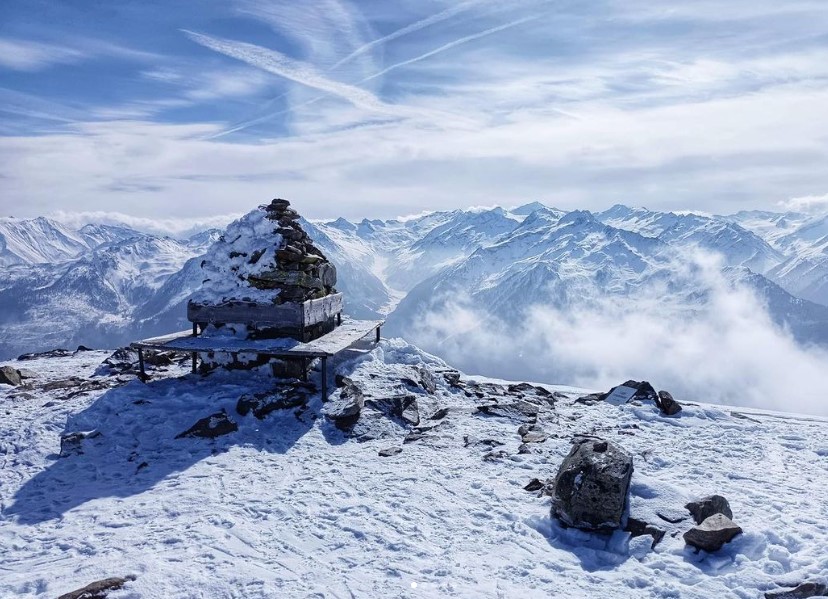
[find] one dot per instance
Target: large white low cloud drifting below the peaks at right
(725, 351)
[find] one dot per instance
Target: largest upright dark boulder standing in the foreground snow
(592, 485)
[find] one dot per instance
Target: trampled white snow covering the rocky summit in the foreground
(290, 506)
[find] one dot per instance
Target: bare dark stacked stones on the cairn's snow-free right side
(301, 271)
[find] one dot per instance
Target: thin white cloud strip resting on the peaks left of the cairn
(174, 227)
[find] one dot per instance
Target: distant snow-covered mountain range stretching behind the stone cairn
(104, 285)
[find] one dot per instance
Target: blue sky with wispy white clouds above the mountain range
(373, 108)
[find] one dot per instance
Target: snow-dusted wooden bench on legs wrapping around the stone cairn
(326, 346)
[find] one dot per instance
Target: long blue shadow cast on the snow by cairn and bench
(137, 446)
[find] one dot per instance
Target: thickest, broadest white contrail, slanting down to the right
(284, 66)
